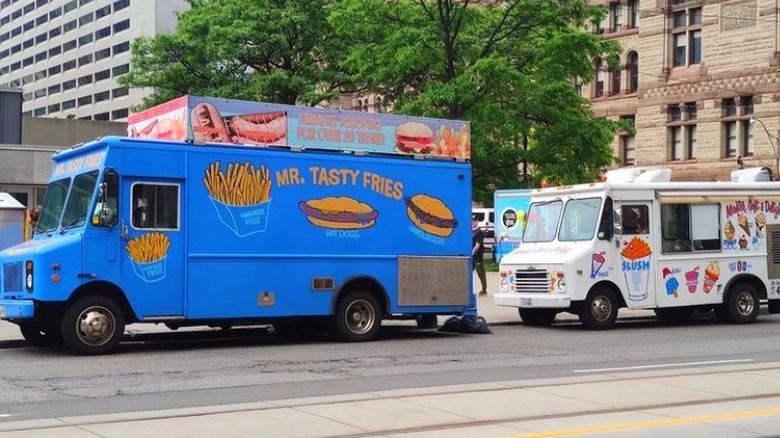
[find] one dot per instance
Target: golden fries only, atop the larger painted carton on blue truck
(242, 185)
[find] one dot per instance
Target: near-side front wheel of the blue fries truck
(93, 325)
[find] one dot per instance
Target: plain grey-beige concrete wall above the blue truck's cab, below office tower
(60, 133)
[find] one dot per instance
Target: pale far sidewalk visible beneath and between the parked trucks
(493, 314)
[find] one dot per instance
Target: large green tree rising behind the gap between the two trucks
(505, 66)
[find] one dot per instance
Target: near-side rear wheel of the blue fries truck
(358, 317)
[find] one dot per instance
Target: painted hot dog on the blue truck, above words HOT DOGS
(340, 213)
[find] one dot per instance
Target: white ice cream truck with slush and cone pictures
(640, 241)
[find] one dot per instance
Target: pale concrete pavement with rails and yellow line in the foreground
(669, 403)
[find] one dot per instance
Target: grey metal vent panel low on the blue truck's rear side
(433, 281)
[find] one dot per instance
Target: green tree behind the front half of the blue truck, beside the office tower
(281, 51)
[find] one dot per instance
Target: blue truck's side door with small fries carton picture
(152, 257)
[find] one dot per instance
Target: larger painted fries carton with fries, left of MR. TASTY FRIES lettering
(241, 196)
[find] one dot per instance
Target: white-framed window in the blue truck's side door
(155, 206)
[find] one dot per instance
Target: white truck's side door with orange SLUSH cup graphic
(637, 255)
